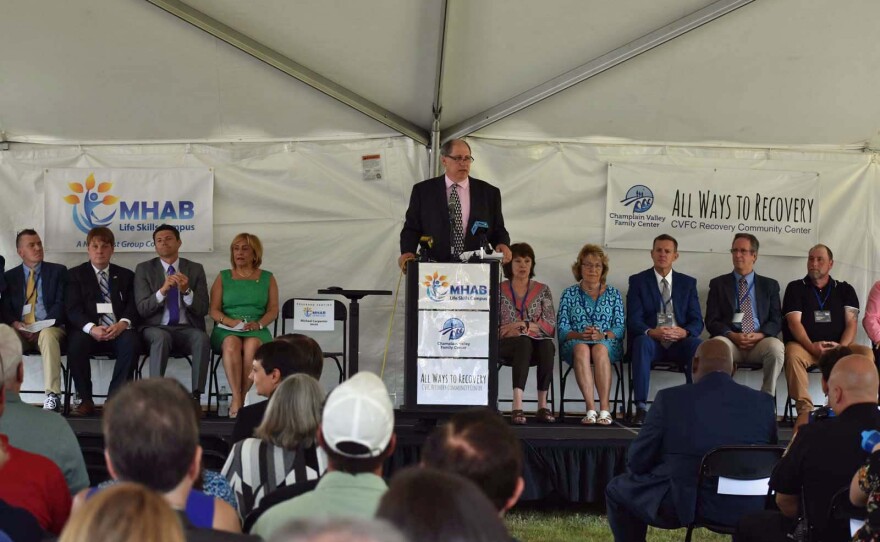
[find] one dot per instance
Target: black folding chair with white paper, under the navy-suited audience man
(741, 473)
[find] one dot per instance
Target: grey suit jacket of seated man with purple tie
(149, 277)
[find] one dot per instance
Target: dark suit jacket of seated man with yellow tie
(53, 278)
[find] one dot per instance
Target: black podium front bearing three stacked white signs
(451, 335)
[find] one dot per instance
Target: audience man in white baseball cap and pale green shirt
(357, 433)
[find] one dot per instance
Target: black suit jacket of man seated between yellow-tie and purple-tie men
(83, 295)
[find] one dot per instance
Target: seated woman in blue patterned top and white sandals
(590, 327)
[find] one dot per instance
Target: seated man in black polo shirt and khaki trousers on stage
(820, 314)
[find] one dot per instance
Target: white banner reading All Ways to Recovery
(704, 208)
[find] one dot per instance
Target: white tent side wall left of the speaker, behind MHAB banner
(320, 223)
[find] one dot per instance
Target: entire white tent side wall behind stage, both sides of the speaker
(322, 225)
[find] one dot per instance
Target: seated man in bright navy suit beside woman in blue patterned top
(663, 319)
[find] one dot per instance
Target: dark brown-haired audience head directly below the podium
(480, 446)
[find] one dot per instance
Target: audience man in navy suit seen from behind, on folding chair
(663, 462)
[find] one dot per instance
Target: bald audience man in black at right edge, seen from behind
(822, 458)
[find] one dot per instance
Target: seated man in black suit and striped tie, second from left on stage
(100, 312)
